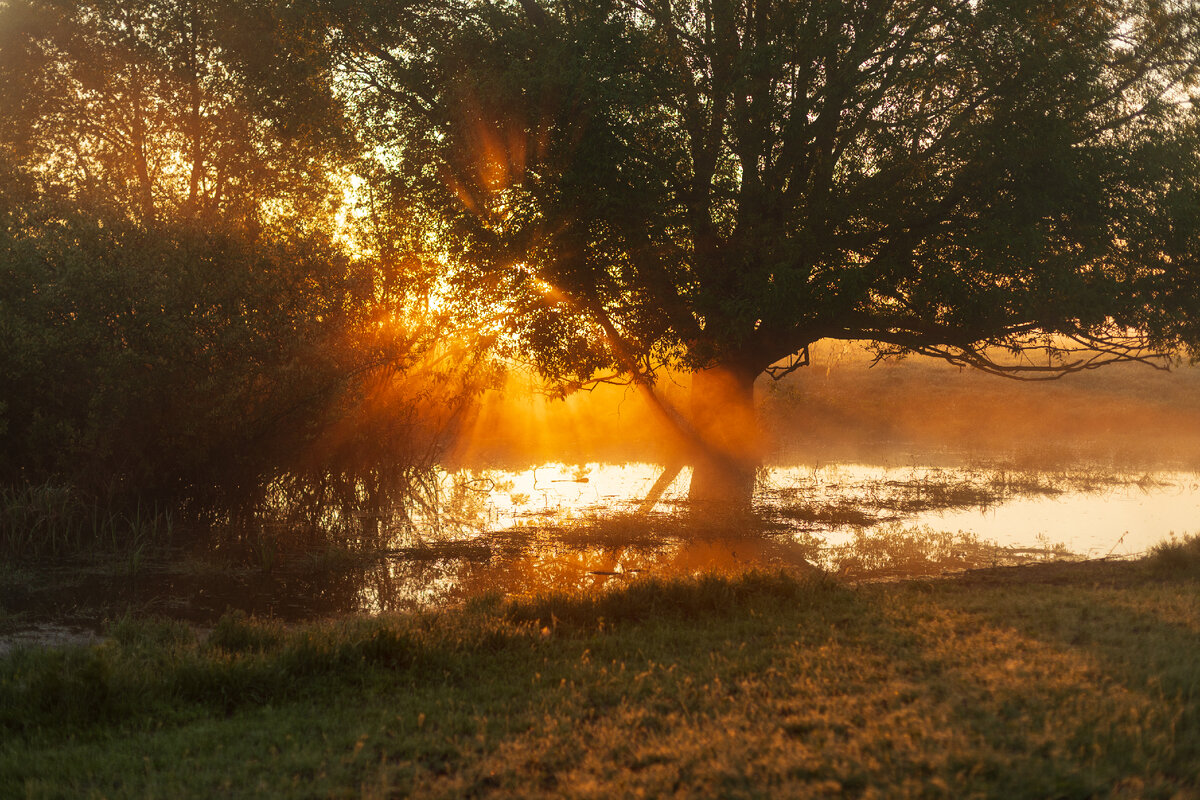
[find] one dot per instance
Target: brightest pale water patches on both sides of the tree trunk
(1089, 513)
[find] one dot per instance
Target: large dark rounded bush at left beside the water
(233, 376)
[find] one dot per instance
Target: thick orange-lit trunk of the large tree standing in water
(725, 462)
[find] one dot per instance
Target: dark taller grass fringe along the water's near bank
(245, 663)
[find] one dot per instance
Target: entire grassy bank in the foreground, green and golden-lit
(1058, 681)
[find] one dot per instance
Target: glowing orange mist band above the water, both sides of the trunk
(844, 410)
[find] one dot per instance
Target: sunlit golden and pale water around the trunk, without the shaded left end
(578, 527)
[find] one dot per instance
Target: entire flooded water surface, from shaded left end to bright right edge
(563, 527)
